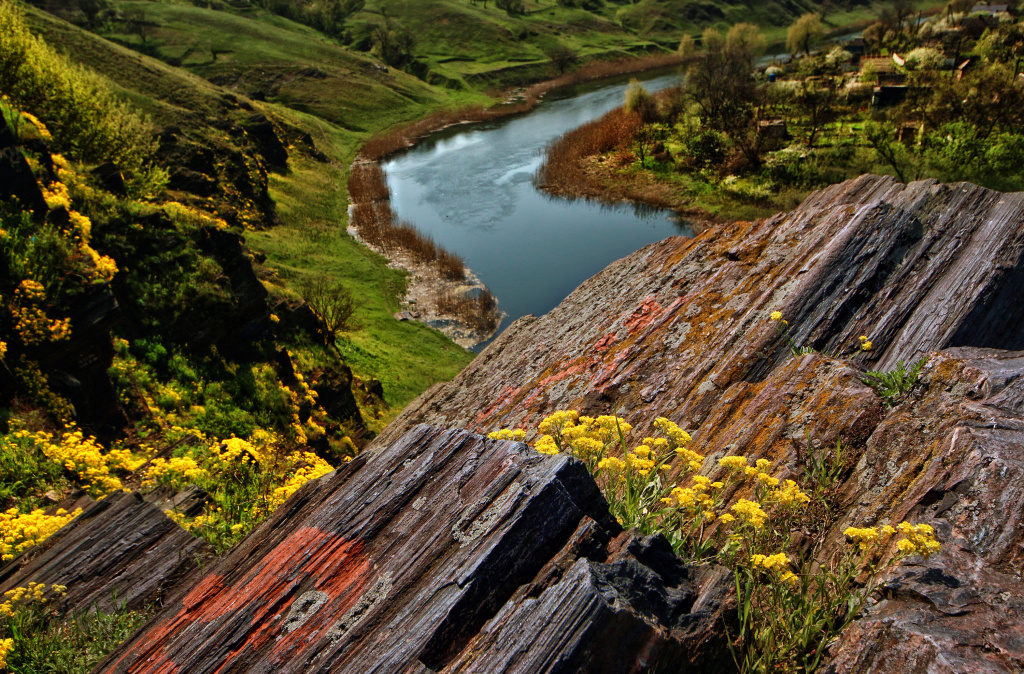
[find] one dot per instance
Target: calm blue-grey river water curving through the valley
(472, 188)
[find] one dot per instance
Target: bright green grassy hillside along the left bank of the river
(310, 193)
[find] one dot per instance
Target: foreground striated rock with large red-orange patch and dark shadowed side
(444, 553)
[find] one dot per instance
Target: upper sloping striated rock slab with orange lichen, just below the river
(669, 329)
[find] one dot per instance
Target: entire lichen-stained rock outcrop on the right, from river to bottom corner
(681, 329)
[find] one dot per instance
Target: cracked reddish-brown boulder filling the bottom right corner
(953, 457)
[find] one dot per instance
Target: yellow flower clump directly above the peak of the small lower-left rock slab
(86, 457)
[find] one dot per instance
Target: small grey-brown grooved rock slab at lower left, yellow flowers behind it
(121, 551)
